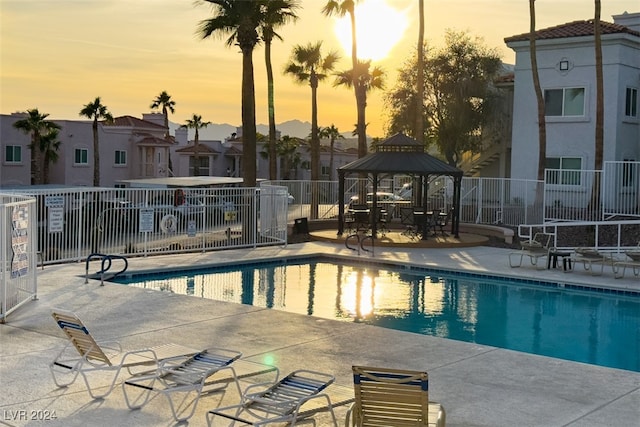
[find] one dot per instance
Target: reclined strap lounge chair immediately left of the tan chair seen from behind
(299, 395)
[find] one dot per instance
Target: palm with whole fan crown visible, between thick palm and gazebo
(309, 65)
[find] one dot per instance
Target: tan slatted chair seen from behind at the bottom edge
(393, 397)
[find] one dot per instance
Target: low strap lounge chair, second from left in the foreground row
(181, 381)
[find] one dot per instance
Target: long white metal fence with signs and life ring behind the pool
(75, 223)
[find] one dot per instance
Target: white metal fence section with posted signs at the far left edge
(18, 281)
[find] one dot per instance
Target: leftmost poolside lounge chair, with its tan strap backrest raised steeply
(87, 357)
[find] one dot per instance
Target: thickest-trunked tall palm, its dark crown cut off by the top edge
(240, 20)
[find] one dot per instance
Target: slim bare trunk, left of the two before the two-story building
(542, 127)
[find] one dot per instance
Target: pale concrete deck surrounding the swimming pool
(478, 385)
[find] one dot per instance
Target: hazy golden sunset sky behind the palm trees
(57, 55)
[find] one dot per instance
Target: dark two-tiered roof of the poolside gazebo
(401, 154)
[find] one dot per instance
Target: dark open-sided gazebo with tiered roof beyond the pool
(400, 154)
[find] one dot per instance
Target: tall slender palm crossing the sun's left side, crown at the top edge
(342, 8)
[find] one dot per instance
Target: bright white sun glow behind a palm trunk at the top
(379, 27)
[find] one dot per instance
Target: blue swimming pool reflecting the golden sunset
(534, 317)
